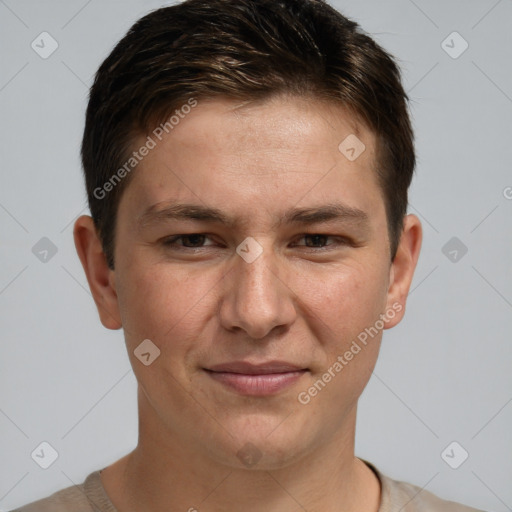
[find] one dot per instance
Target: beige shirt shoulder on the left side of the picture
(86, 497)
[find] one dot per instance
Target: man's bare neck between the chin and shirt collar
(162, 473)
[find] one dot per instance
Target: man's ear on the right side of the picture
(402, 269)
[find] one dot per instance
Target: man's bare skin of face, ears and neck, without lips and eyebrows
(302, 301)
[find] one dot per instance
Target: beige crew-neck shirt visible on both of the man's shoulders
(395, 497)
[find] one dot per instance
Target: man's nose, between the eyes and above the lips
(256, 297)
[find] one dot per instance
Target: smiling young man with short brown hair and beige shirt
(247, 165)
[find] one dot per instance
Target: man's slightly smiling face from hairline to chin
(254, 254)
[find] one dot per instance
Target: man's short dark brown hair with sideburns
(248, 50)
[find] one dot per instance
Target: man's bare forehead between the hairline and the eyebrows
(257, 158)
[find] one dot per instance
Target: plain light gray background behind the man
(444, 373)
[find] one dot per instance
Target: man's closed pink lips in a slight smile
(262, 379)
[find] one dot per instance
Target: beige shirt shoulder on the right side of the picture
(405, 497)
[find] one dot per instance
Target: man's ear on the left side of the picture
(100, 277)
